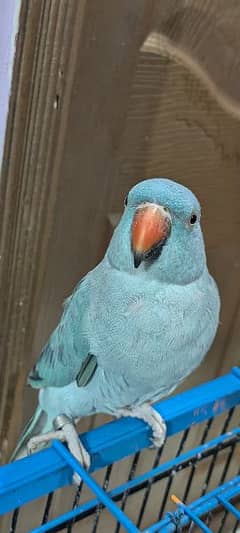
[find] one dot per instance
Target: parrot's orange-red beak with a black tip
(151, 227)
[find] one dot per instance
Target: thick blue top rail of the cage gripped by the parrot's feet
(45, 471)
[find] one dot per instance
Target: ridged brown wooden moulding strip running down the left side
(28, 188)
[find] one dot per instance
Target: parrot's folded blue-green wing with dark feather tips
(66, 356)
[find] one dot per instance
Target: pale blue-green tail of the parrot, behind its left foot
(37, 425)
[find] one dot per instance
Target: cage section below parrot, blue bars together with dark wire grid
(215, 509)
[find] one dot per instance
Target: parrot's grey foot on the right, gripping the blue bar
(152, 418)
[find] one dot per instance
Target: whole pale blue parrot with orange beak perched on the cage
(134, 327)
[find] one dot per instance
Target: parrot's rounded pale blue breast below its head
(153, 336)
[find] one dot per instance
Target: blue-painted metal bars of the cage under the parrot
(48, 470)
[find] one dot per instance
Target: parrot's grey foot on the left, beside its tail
(65, 431)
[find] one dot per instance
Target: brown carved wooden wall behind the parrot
(106, 93)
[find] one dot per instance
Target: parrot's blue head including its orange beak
(159, 234)
